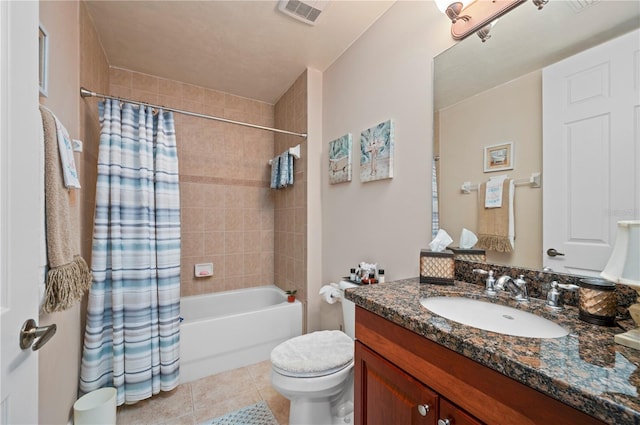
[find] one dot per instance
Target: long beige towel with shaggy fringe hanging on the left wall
(68, 276)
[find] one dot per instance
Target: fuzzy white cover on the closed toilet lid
(314, 354)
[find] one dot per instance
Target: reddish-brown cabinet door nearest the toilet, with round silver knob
(385, 395)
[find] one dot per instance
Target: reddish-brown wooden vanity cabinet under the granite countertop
(397, 371)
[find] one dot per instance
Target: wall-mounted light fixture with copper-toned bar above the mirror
(469, 16)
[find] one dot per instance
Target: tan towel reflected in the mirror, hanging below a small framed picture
(493, 223)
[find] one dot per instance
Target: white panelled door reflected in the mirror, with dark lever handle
(591, 153)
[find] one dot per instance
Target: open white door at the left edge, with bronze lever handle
(20, 214)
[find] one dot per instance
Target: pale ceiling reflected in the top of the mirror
(527, 39)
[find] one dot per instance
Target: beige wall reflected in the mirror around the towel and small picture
(510, 112)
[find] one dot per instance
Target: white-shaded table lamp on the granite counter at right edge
(624, 267)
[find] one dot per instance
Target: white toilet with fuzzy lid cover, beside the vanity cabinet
(315, 372)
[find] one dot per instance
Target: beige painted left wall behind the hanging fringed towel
(59, 359)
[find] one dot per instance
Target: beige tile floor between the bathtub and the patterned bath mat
(208, 398)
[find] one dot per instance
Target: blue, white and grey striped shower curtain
(132, 330)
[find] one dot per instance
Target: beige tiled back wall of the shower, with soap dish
(227, 208)
